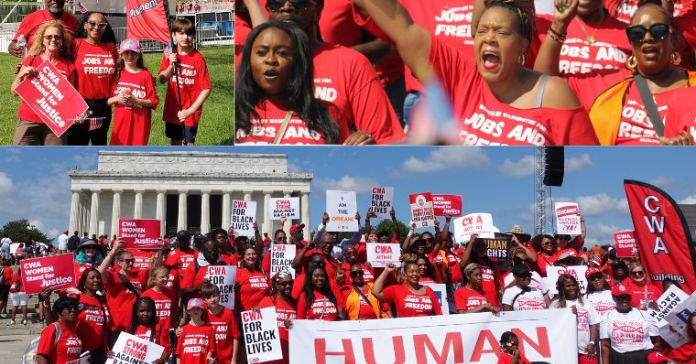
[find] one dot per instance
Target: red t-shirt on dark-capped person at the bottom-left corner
(68, 347)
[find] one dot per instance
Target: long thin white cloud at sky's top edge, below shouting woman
(447, 158)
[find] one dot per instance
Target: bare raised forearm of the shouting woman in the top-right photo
(412, 42)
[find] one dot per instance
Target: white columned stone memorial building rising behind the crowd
(184, 190)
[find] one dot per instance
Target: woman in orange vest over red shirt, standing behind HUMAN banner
(359, 301)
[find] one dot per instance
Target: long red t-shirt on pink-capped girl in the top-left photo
(132, 123)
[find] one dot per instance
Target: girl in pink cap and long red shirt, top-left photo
(134, 97)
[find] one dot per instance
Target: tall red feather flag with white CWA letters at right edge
(664, 241)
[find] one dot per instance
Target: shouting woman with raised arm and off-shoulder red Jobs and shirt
(496, 98)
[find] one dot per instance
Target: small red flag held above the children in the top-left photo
(147, 19)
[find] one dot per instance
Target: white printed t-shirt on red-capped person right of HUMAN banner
(628, 331)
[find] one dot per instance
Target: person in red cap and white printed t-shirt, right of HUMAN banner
(627, 335)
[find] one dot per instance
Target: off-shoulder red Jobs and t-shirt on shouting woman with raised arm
(487, 121)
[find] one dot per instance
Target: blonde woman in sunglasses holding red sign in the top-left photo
(53, 44)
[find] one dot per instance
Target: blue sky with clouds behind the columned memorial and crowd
(34, 182)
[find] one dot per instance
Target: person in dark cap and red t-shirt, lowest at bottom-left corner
(59, 343)
